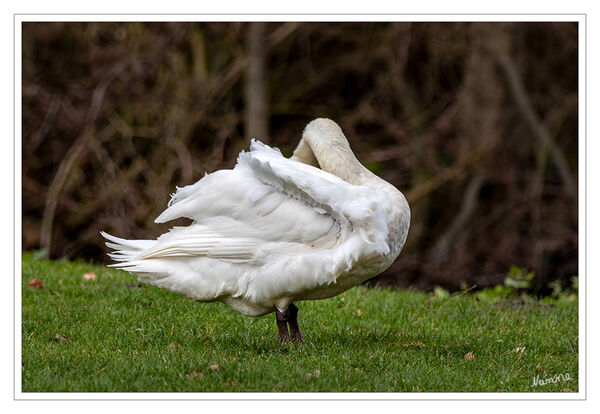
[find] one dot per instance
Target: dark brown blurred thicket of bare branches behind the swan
(477, 123)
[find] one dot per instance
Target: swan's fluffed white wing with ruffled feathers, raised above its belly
(267, 205)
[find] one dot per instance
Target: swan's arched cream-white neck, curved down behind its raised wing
(324, 145)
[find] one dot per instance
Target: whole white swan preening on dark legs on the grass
(273, 231)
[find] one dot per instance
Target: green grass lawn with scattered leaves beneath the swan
(111, 334)
